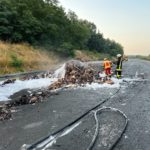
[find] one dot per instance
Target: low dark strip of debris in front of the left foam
(7, 109)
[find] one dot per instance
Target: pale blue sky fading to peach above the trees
(125, 21)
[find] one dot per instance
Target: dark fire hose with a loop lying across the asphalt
(47, 138)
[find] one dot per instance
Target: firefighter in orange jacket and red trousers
(107, 64)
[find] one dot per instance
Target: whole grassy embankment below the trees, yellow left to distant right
(24, 57)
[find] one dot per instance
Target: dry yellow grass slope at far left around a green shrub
(31, 58)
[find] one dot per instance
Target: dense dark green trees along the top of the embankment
(45, 23)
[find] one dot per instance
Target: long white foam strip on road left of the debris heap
(9, 89)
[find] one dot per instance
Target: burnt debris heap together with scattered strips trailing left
(73, 73)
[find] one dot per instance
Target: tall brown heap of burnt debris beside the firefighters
(79, 73)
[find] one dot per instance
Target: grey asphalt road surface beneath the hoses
(33, 122)
